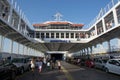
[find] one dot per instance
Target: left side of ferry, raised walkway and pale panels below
(15, 27)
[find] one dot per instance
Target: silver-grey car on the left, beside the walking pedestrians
(22, 64)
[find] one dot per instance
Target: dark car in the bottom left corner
(7, 71)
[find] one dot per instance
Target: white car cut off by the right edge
(113, 66)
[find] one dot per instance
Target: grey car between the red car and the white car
(100, 63)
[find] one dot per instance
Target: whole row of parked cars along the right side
(108, 64)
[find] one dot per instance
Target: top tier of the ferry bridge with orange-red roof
(58, 25)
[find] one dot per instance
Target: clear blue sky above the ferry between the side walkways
(76, 11)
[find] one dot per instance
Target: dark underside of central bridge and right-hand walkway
(74, 47)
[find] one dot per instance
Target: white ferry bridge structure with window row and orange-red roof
(59, 31)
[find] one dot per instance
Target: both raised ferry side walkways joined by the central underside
(15, 27)
